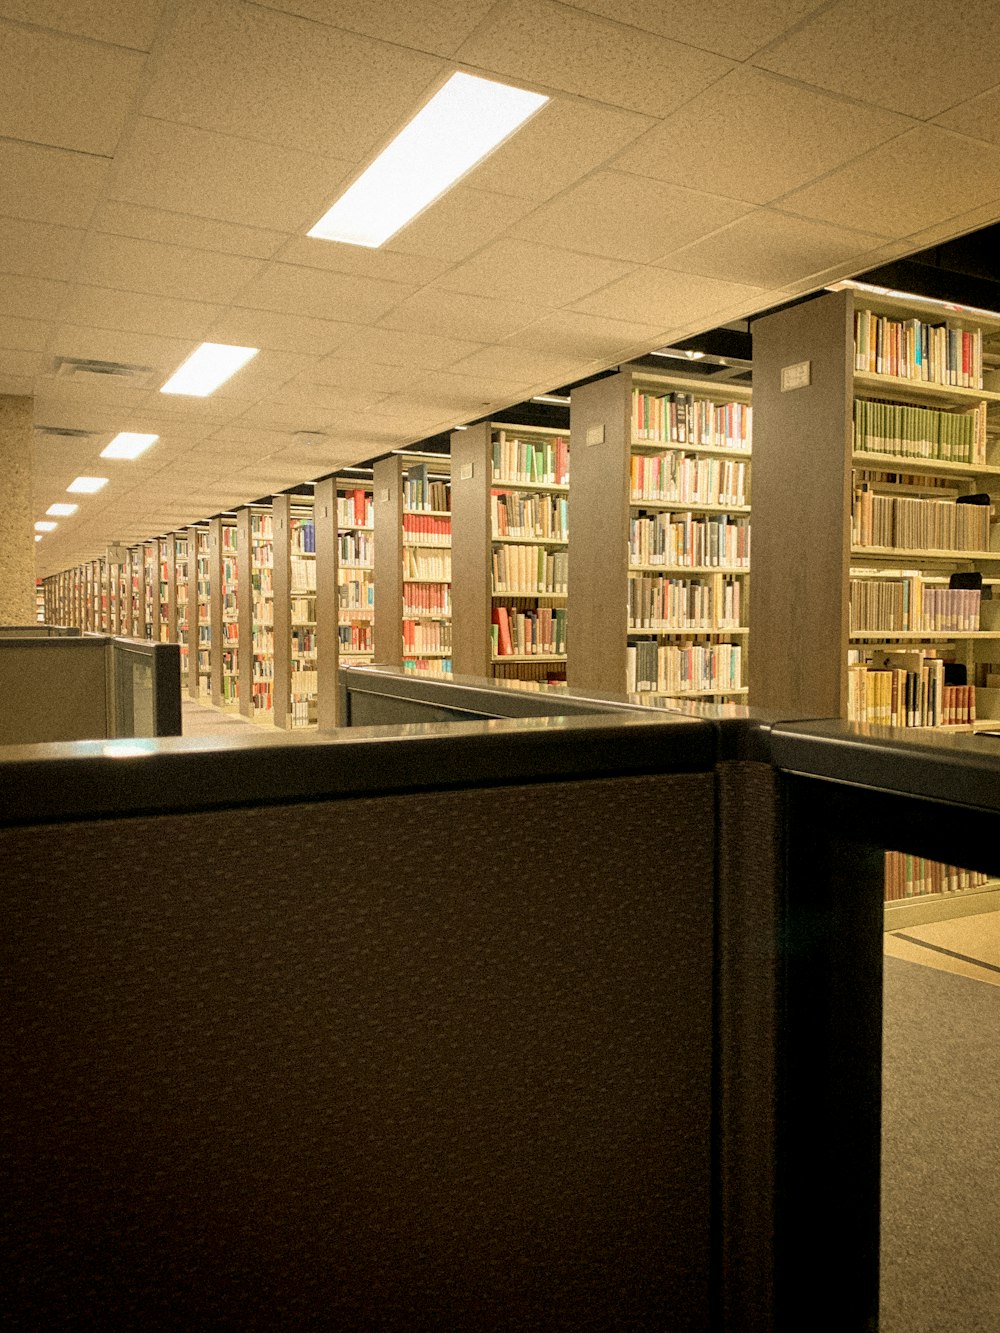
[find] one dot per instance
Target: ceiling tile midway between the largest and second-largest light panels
(309, 291)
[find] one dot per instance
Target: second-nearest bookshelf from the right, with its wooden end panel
(659, 547)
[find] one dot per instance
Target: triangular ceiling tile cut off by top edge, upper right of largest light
(721, 26)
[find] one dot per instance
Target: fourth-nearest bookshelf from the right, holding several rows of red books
(413, 562)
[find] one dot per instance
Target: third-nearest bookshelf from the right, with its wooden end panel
(510, 551)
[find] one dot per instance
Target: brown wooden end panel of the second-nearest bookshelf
(598, 605)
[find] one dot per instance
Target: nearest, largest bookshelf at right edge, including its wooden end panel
(855, 614)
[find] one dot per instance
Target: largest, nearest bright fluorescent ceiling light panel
(458, 127)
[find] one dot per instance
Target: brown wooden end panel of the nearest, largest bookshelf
(802, 511)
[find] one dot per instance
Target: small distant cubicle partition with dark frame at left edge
(61, 687)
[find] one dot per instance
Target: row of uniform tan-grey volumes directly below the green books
(910, 523)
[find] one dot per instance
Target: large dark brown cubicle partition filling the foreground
(551, 1022)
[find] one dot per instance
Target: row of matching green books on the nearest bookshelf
(914, 433)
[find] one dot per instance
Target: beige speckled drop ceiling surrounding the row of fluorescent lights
(161, 165)
